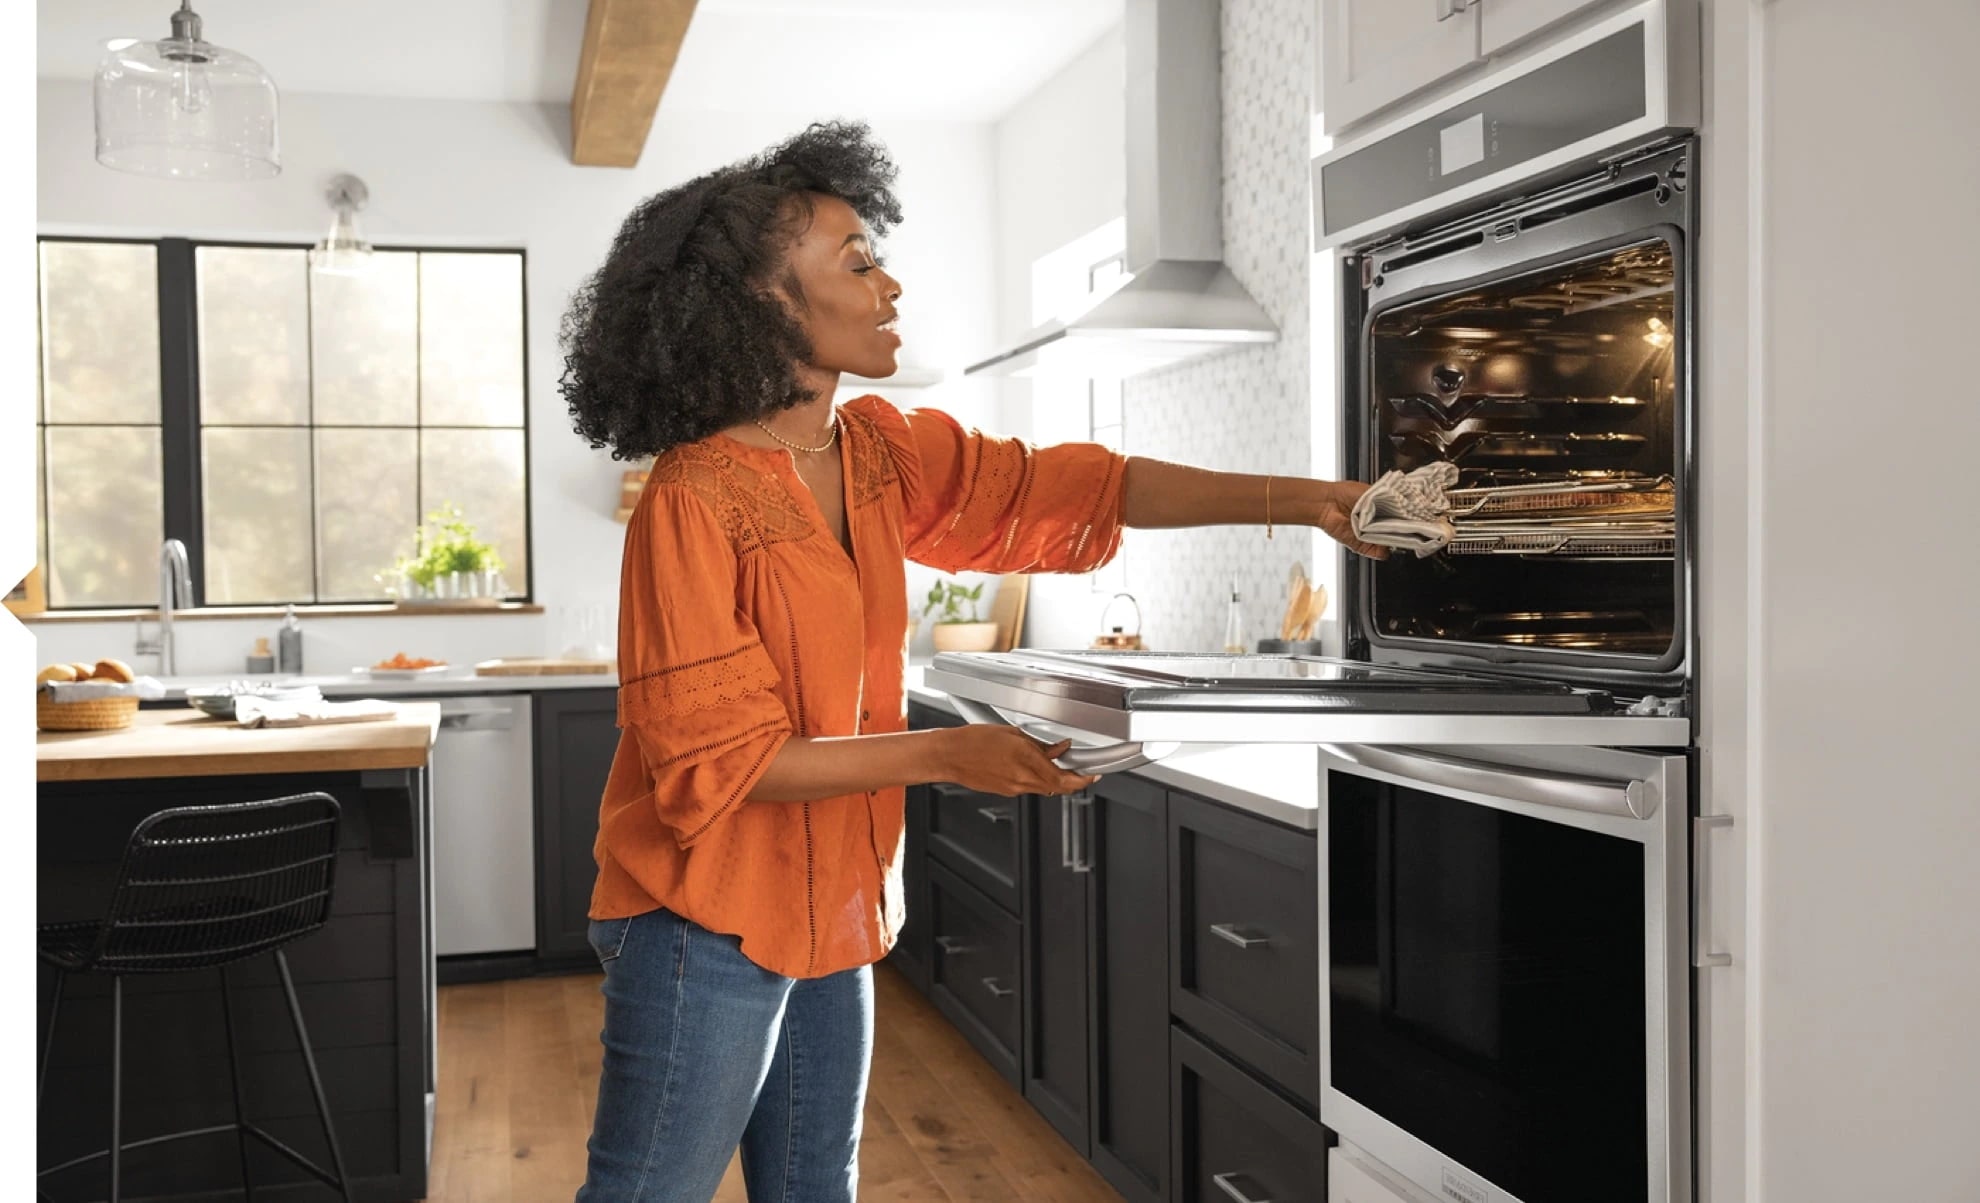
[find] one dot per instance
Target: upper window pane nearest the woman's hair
(472, 339)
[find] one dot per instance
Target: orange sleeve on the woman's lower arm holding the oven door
(696, 686)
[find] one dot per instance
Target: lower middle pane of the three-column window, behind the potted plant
(367, 508)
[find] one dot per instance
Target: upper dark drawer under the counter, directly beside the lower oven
(1244, 927)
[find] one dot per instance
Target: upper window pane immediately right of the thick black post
(254, 335)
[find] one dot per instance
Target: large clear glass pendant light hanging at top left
(185, 110)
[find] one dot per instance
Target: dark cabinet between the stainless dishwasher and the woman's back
(577, 735)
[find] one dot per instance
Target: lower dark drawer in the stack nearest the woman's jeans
(977, 963)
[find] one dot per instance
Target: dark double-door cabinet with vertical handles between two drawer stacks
(1098, 980)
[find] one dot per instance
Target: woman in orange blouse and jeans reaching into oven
(749, 836)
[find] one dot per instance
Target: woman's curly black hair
(678, 333)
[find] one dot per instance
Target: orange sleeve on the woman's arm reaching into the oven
(987, 504)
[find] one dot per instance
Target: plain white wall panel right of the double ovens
(1864, 901)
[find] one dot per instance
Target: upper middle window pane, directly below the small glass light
(365, 343)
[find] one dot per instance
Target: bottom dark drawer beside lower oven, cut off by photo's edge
(1237, 1141)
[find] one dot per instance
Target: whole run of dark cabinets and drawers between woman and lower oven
(1143, 965)
